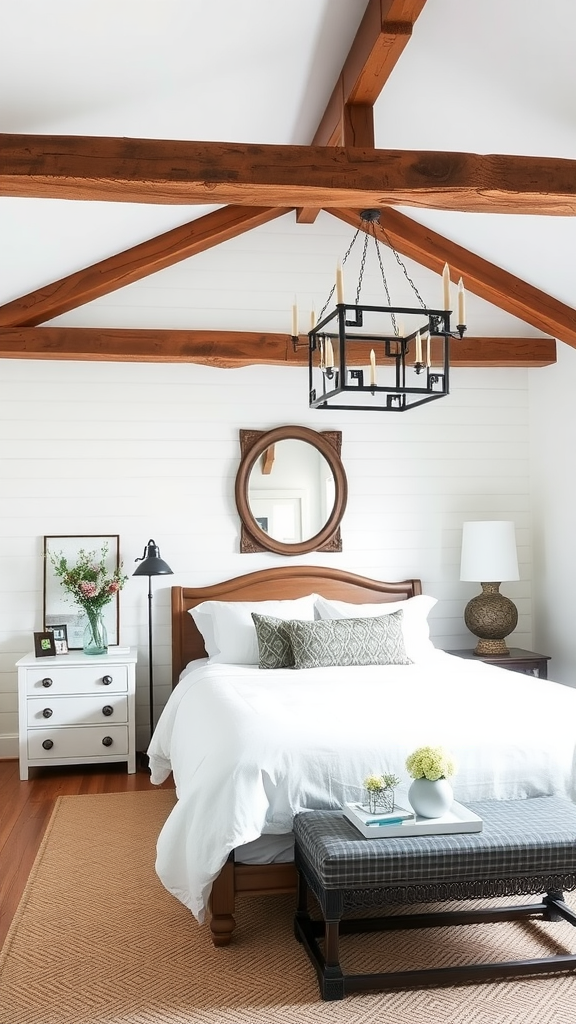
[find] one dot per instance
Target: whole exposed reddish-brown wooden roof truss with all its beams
(342, 173)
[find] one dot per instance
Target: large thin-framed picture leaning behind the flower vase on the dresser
(60, 610)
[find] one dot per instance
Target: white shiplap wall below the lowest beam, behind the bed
(151, 451)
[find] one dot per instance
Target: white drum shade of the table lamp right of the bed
(489, 553)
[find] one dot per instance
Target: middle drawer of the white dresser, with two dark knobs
(53, 710)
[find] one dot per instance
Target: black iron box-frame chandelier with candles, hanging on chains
(380, 358)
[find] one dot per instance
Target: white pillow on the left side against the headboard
(228, 627)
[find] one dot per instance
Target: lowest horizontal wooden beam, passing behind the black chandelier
(234, 349)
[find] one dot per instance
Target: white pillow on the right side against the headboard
(415, 621)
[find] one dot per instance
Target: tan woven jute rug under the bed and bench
(98, 941)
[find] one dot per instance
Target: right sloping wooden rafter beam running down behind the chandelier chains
(489, 282)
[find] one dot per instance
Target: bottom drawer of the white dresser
(87, 742)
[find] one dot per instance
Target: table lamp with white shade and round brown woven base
(489, 558)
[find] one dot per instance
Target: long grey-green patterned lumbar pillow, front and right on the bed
(349, 642)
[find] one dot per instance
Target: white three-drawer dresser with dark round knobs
(77, 709)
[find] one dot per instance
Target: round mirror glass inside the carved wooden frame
(292, 491)
